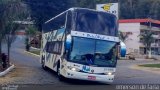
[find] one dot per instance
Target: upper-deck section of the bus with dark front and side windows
(84, 20)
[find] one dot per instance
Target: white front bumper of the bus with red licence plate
(89, 77)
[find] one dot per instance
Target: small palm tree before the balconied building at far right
(147, 41)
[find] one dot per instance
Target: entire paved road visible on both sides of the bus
(28, 71)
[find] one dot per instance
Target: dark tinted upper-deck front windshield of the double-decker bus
(99, 23)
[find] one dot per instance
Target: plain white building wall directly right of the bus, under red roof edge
(132, 42)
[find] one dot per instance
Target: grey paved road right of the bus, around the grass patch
(126, 75)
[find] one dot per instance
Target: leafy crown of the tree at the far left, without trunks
(11, 10)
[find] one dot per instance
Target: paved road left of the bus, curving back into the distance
(28, 69)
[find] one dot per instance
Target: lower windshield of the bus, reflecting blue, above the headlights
(93, 52)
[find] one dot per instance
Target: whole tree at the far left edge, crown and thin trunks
(10, 11)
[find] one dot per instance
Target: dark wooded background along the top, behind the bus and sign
(42, 10)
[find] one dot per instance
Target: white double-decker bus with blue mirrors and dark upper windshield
(81, 44)
